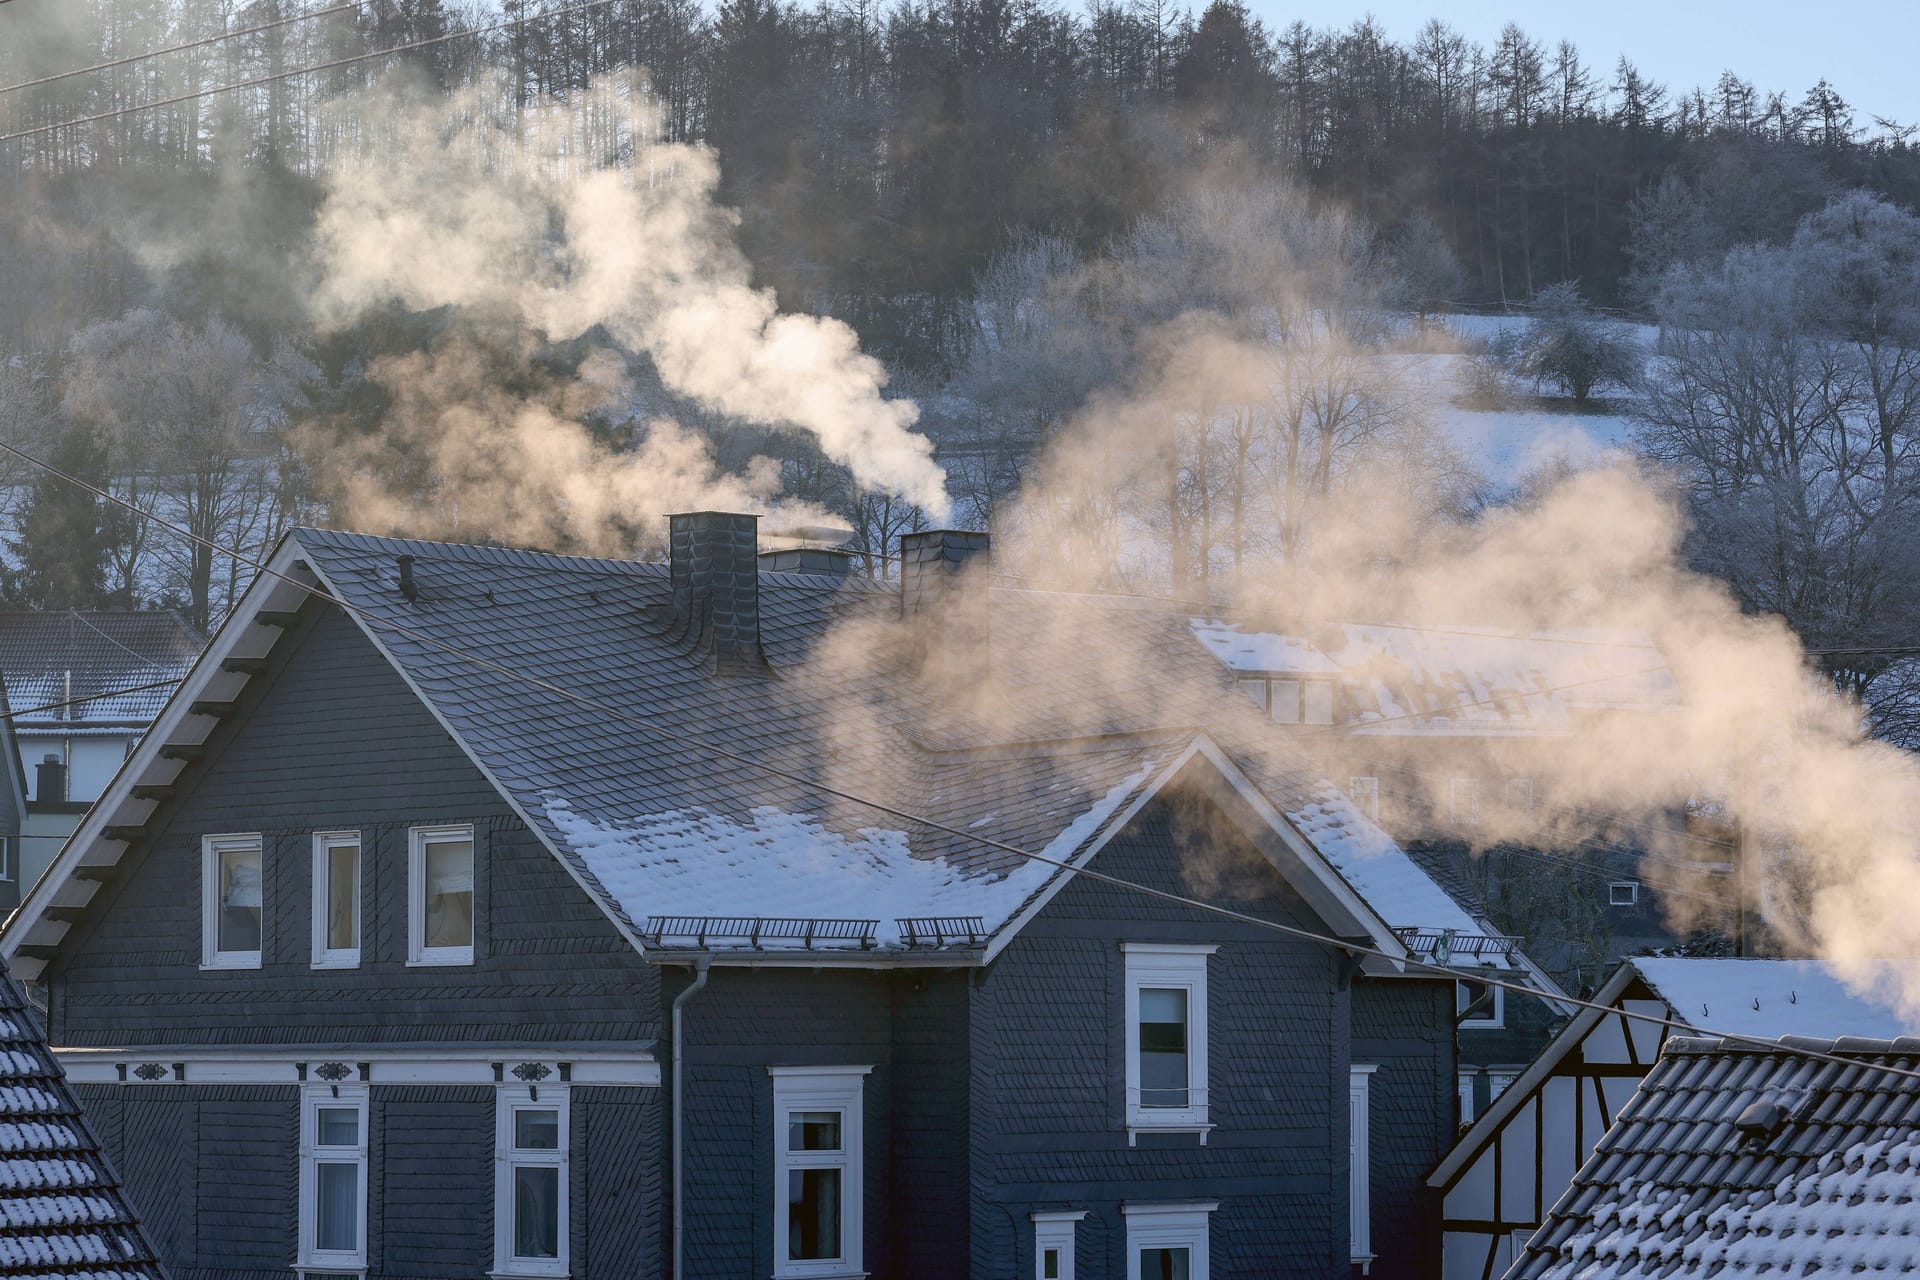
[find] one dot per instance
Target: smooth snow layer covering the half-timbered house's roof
(1769, 999)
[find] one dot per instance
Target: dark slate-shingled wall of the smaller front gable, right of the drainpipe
(1049, 1070)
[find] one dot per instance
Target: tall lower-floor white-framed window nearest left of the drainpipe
(531, 1147)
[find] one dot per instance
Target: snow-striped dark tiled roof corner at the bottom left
(62, 1212)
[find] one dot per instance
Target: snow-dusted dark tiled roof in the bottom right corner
(1737, 1160)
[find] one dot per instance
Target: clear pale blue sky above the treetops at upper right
(1867, 49)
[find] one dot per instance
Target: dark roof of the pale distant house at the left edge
(53, 657)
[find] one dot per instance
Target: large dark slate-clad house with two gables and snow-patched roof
(477, 913)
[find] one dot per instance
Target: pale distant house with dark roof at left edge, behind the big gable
(68, 675)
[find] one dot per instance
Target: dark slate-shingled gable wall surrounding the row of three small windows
(341, 744)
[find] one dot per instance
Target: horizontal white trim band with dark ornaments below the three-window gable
(377, 1066)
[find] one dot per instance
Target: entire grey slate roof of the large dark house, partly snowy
(648, 794)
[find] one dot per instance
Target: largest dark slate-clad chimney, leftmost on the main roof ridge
(717, 586)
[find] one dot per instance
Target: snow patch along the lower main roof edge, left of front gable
(683, 863)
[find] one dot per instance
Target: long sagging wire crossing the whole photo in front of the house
(880, 807)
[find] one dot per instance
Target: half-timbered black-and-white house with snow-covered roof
(1524, 1150)
